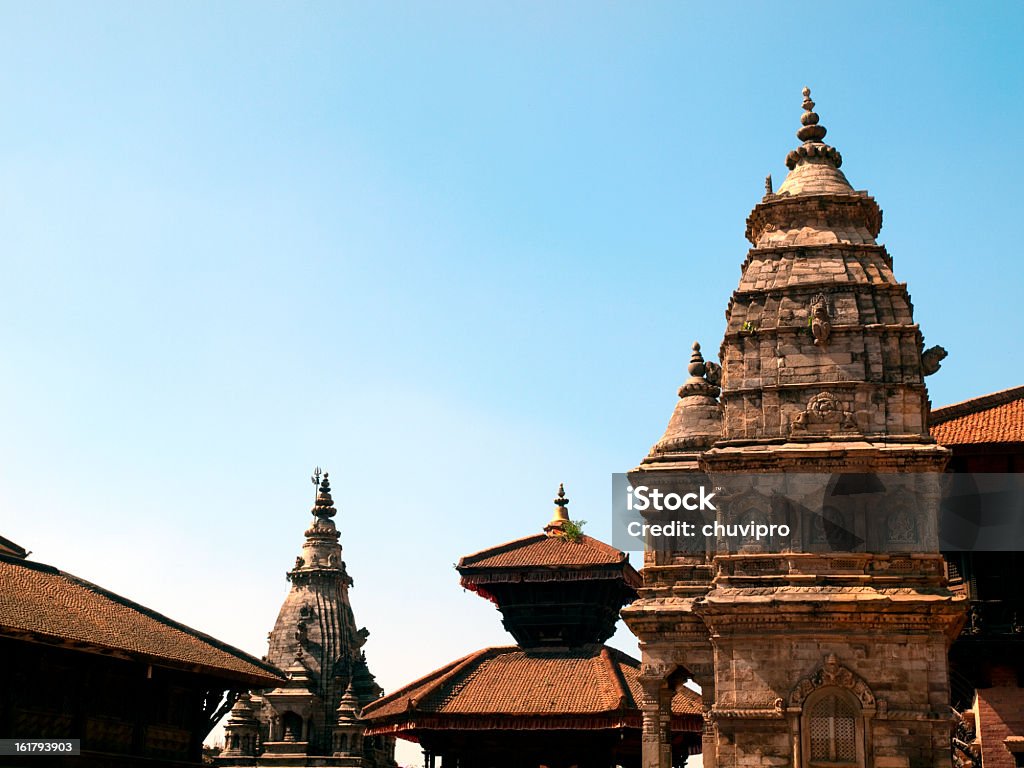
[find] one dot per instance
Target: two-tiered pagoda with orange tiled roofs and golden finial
(558, 699)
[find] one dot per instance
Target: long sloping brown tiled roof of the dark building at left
(41, 604)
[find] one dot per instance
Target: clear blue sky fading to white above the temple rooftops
(454, 253)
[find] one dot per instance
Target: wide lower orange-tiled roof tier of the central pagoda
(507, 685)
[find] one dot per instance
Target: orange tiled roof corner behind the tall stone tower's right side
(993, 418)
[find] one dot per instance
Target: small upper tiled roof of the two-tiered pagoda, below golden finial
(542, 550)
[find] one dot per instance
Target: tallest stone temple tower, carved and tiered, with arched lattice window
(819, 651)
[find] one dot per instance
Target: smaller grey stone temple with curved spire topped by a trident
(313, 719)
